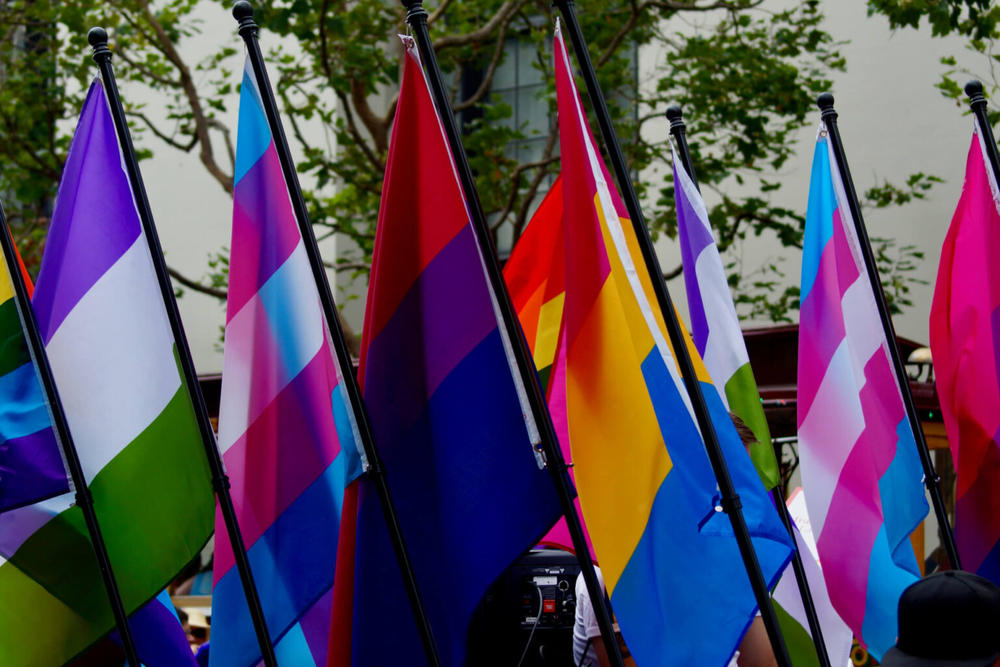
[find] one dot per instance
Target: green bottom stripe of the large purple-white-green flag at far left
(155, 506)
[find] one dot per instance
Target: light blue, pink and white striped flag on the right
(861, 474)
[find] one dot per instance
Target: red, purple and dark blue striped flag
(450, 419)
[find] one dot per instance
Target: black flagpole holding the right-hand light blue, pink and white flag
(931, 479)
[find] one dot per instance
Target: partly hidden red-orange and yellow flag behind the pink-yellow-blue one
(535, 275)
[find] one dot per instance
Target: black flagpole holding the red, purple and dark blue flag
(416, 16)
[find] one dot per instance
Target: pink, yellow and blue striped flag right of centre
(671, 563)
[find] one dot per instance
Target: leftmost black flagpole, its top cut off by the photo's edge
(84, 499)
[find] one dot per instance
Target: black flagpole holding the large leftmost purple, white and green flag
(98, 38)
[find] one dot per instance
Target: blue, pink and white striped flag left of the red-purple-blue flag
(286, 434)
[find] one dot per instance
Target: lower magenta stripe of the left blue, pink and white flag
(291, 443)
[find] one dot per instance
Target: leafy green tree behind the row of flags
(746, 74)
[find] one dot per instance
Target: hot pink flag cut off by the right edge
(965, 339)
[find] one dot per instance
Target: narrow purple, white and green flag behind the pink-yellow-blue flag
(714, 324)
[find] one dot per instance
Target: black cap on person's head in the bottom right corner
(948, 618)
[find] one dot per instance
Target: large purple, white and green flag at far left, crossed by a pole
(114, 360)
